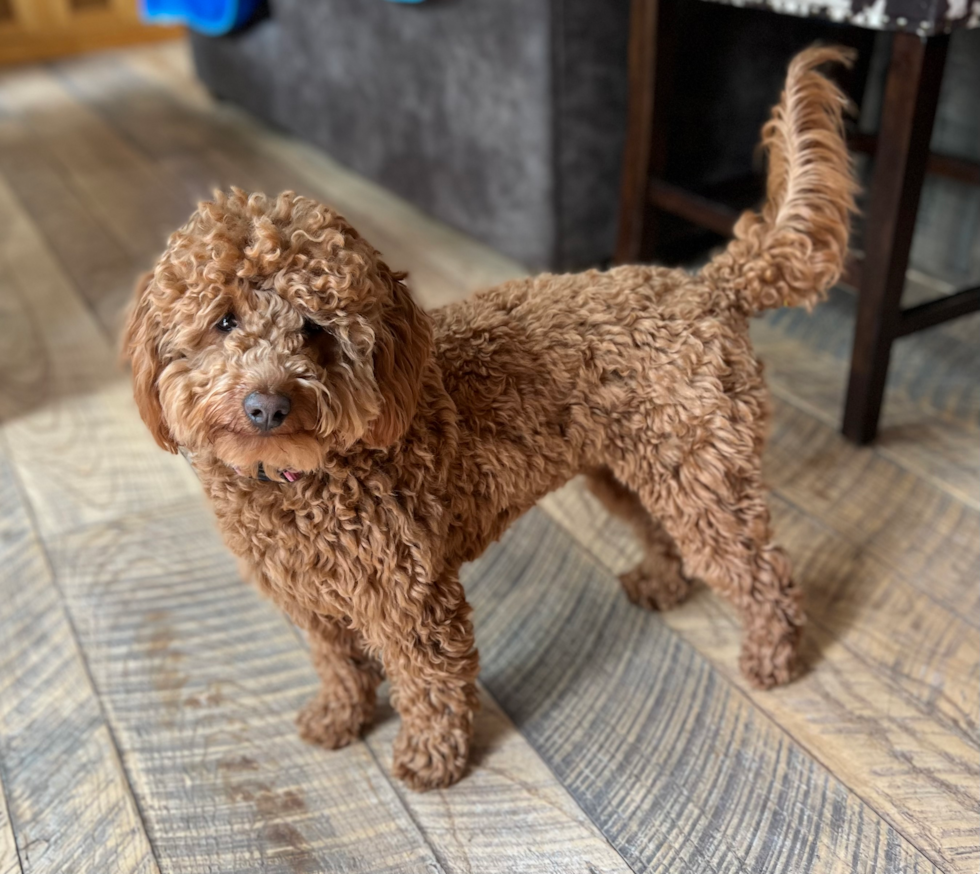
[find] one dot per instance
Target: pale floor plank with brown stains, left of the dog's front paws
(200, 680)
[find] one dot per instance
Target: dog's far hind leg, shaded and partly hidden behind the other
(658, 581)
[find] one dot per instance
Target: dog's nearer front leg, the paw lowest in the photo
(432, 663)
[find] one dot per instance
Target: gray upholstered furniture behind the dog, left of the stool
(504, 118)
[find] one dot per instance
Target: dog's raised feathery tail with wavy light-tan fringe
(792, 252)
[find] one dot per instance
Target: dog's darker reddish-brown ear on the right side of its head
(402, 347)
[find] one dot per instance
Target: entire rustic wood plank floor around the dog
(147, 694)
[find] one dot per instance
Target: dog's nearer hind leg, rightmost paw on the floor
(713, 505)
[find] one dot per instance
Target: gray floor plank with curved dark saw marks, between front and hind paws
(677, 767)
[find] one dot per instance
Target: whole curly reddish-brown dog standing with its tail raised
(357, 450)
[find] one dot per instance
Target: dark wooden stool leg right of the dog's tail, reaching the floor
(911, 94)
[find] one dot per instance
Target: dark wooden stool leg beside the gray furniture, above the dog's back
(651, 30)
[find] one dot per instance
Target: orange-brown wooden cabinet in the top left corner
(33, 30)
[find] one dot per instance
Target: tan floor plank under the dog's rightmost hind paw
(892, 671)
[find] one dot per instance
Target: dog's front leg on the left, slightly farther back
(349, 678)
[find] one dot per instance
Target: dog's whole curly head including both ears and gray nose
(271, 332)
